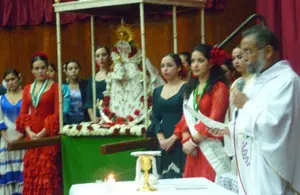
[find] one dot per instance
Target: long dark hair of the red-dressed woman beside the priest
(216, 73)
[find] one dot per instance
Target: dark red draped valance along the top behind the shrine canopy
(33, 12)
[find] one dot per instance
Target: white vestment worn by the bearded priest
(271, 118)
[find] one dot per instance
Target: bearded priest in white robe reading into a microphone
(269, 114)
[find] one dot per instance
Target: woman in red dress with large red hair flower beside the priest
(210, 95)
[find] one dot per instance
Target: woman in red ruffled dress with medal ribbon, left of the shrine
(39, 118)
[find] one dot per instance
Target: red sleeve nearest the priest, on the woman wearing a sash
(220, 103)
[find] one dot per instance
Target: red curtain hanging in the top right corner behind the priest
(283, 17)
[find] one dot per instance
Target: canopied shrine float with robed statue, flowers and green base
(81, 158)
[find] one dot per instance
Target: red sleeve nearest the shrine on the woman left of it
(51, 122)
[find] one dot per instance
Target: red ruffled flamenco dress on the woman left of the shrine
(42, 166)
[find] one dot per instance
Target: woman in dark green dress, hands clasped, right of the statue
(166, 113)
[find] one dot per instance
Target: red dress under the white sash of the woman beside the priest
(214, 105)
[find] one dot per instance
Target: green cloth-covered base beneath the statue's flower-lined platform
(83, 162)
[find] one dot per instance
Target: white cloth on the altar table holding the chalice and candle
(165, 187)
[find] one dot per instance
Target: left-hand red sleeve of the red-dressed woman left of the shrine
(24, 119)
